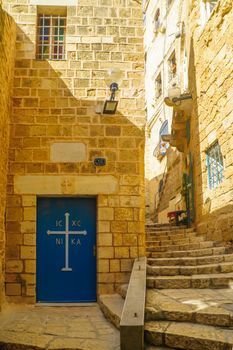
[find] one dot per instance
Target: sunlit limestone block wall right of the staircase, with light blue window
(212, 118)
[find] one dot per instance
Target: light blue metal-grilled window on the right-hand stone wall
(215, 166)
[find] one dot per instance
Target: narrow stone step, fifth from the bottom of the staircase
(189, 261)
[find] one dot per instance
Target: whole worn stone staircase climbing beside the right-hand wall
(189, 291)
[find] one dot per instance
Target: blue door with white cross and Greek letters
(66, 240)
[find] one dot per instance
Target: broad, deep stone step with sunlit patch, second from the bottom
(204, 306)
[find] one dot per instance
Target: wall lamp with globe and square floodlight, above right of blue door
(113, 79)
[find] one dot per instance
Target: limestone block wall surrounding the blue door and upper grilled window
(58, 102)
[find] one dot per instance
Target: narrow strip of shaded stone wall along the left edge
(7, 44)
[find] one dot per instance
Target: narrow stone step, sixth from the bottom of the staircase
(188, 253)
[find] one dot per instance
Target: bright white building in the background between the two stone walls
(166, 65)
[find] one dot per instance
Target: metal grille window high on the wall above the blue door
(51, 37)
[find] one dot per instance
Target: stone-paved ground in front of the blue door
(43, 327)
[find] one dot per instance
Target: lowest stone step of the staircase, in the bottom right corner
(188, 336)
